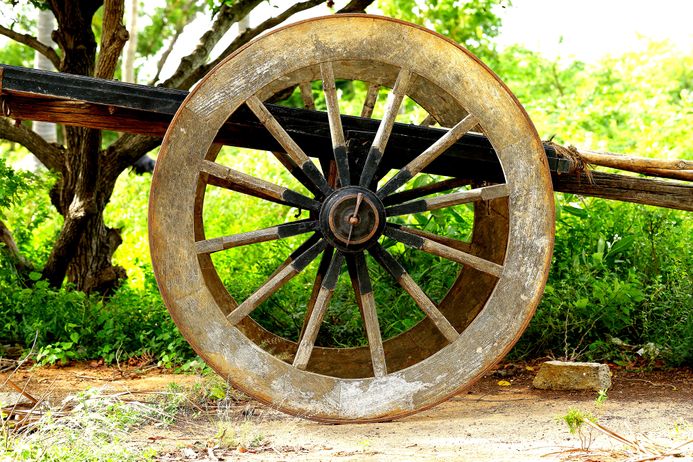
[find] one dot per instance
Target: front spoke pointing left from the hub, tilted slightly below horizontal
(253, 237)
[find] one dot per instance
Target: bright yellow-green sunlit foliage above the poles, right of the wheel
(638, 103)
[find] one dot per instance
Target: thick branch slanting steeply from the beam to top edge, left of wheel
(228, 15)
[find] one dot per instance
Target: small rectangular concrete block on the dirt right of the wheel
(560, 375)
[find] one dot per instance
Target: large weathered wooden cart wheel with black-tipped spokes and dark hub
(503, 268)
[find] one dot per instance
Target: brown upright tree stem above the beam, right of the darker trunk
(113, 39)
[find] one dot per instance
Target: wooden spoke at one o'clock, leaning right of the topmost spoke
(394, 101)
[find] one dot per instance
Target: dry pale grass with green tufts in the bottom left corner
(99, 425)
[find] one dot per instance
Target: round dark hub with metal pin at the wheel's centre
(352, 218)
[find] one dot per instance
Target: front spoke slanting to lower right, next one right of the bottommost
(398, 272)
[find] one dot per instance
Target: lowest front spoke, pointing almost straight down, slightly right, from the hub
(370, 317)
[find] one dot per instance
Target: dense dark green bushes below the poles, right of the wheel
(620, 278)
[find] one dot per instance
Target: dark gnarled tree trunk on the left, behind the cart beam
(85, 245)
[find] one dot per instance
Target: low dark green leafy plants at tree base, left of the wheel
(67, 325)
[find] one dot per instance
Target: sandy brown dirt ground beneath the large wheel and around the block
(488, 423)
